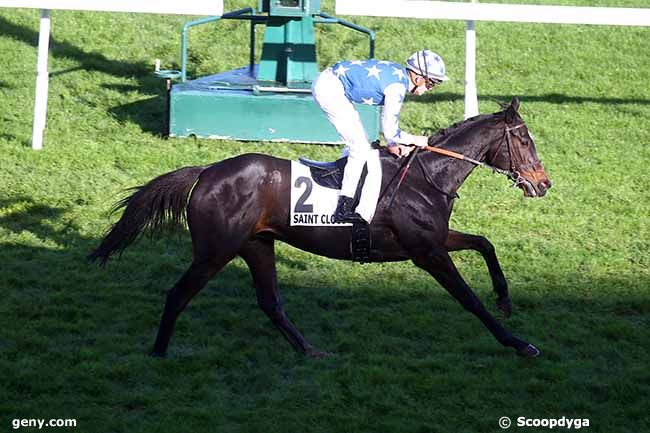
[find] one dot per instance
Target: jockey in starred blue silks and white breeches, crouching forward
(372, 82)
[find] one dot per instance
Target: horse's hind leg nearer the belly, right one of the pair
(259, 255)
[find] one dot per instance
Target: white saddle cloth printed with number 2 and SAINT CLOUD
(313, 204)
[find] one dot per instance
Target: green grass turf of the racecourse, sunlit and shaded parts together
(74, 337)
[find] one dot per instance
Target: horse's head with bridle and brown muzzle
(516, 153)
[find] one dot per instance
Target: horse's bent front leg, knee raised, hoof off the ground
(457, 241)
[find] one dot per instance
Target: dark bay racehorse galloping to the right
(240, 206)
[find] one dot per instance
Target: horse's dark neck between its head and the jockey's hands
(448, 174)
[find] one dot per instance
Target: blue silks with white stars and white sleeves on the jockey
(377, 82)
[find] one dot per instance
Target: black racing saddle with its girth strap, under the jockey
(330, 175)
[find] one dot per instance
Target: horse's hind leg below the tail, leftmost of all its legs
(194, 279)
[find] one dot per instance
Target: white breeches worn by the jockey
(329, 94)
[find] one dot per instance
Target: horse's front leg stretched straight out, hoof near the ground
(442, 268)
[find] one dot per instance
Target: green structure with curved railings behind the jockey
(266, 101)
